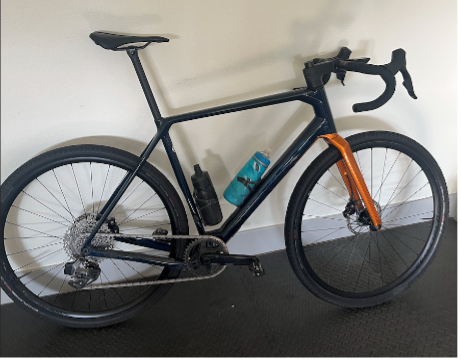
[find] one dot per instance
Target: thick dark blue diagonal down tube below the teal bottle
(303, 142)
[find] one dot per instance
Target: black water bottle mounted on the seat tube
(205, 197)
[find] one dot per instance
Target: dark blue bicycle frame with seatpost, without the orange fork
(322, 124)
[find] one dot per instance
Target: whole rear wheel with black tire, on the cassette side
(53, 197)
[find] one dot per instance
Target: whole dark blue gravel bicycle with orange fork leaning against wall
(93, 235)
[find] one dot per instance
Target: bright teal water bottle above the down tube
(247, 177)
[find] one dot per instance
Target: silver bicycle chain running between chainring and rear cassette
(168, 281)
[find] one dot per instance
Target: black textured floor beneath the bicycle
(237, 315)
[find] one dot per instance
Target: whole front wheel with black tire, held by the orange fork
(332, 250)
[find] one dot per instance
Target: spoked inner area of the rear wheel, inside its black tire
(46, 208)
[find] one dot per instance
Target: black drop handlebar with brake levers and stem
(321, 69)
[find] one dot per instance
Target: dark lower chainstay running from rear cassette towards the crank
(137, 257)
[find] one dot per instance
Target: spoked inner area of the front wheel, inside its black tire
(367, 263)
